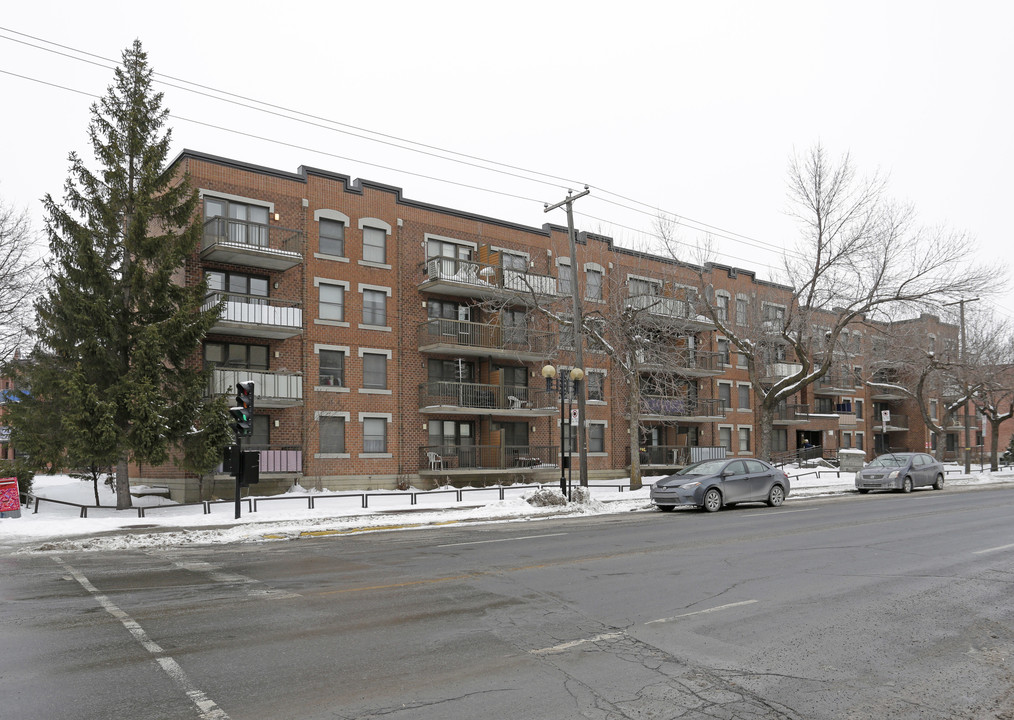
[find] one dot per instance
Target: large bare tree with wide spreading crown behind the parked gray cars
(858, 256)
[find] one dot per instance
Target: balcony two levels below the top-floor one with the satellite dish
(474, 399)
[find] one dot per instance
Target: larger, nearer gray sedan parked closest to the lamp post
(712, 484)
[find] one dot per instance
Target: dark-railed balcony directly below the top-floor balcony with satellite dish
(483, 340)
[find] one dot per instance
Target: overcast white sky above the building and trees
(694, 108)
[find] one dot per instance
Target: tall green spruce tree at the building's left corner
(115, 378)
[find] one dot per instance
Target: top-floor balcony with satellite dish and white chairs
(468, 278)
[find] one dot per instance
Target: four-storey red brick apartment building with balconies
(369, 324)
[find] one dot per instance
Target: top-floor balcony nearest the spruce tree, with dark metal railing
(251, 245)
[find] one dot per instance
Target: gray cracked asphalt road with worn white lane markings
(876, 607)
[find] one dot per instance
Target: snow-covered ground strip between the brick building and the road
(59, 528)
